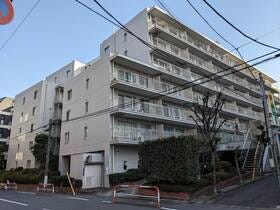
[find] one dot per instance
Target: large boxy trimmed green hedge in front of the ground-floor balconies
(173, 160)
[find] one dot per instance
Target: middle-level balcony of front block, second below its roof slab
(144, 110)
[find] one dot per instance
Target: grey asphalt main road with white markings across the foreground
(46, 201)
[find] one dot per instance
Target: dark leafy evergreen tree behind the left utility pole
(39, 150)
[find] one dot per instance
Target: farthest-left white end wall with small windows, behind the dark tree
(21, 135)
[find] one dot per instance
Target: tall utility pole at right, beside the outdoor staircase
(271, 147)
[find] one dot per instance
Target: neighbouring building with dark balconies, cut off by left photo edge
(6, 108)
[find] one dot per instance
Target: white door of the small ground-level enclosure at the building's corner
(92, 176)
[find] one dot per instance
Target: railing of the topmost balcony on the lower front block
(148, 83)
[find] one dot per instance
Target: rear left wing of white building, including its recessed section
(33, 108)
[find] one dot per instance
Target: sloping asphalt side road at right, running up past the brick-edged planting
(264, 193)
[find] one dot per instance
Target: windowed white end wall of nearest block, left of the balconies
(98, 96)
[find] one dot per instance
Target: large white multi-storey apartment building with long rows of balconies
(126, 96)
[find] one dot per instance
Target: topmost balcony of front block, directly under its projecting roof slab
(146, 85)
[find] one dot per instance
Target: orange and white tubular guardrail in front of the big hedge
(119, 194)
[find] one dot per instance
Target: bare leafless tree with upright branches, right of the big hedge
(208, 123)
